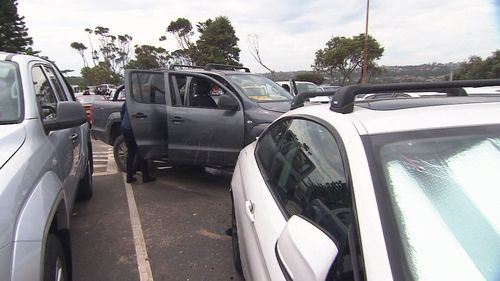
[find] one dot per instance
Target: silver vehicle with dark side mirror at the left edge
(45, 163)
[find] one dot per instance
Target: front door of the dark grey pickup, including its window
(205, 121)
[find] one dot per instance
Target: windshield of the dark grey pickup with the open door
(260, 88)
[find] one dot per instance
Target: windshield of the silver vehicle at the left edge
(10, 102)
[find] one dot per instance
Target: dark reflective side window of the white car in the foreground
(302, 163)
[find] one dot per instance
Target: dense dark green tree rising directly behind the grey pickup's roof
(217, 43)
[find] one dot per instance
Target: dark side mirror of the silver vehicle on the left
(69, 114)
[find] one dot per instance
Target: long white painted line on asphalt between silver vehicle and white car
(145, 273)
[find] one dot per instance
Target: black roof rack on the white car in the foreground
(343, 98)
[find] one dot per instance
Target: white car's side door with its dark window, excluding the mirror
(297, 169)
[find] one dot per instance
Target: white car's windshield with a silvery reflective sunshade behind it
(444, 193)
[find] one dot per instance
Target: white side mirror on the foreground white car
(304, 251)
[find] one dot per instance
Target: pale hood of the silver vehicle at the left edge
(11, 139)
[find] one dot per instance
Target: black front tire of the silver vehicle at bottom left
(55, 267)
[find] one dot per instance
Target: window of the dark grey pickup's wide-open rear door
(148, 87)
